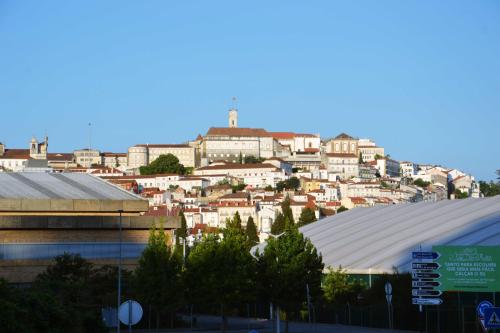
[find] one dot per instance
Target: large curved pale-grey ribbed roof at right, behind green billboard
(379, 239)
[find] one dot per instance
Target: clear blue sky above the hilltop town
(421, 78)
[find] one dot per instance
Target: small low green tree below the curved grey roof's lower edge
(339, 289)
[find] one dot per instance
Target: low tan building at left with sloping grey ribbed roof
(46, 214)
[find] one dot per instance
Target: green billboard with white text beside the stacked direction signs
(468, 268)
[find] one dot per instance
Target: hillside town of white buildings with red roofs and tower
(330, 173)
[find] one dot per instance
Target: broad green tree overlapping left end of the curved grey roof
(289, 264)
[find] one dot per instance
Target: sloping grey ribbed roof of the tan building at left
(34, 185)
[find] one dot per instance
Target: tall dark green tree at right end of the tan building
(158, 276)
